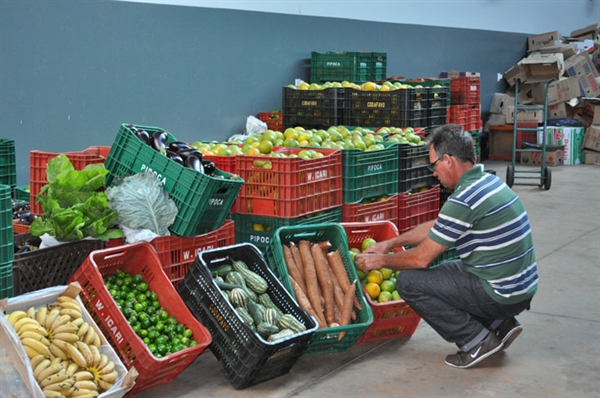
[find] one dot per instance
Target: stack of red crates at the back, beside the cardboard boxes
(465, 99)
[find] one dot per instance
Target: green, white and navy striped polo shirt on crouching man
(488, 224)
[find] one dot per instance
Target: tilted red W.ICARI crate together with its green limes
(140, 313)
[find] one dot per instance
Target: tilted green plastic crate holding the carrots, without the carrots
(325, 340)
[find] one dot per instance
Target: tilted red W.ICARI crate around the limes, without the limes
(137, 258)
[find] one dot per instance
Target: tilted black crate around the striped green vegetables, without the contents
(245, 358)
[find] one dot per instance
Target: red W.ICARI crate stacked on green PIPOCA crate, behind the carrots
(286, 190)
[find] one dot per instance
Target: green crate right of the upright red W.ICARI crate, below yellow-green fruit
(367, 174)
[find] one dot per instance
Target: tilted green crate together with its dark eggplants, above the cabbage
(203, 193)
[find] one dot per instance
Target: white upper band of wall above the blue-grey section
(519, 16)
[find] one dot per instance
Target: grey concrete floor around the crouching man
(557, 355)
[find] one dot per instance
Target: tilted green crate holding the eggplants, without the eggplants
(203, 202)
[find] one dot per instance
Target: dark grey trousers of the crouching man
(454, 303)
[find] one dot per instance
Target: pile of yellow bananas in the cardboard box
(64, 350)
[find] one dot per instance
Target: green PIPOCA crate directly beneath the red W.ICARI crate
(259, 230)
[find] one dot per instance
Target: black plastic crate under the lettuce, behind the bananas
(51, 266)
